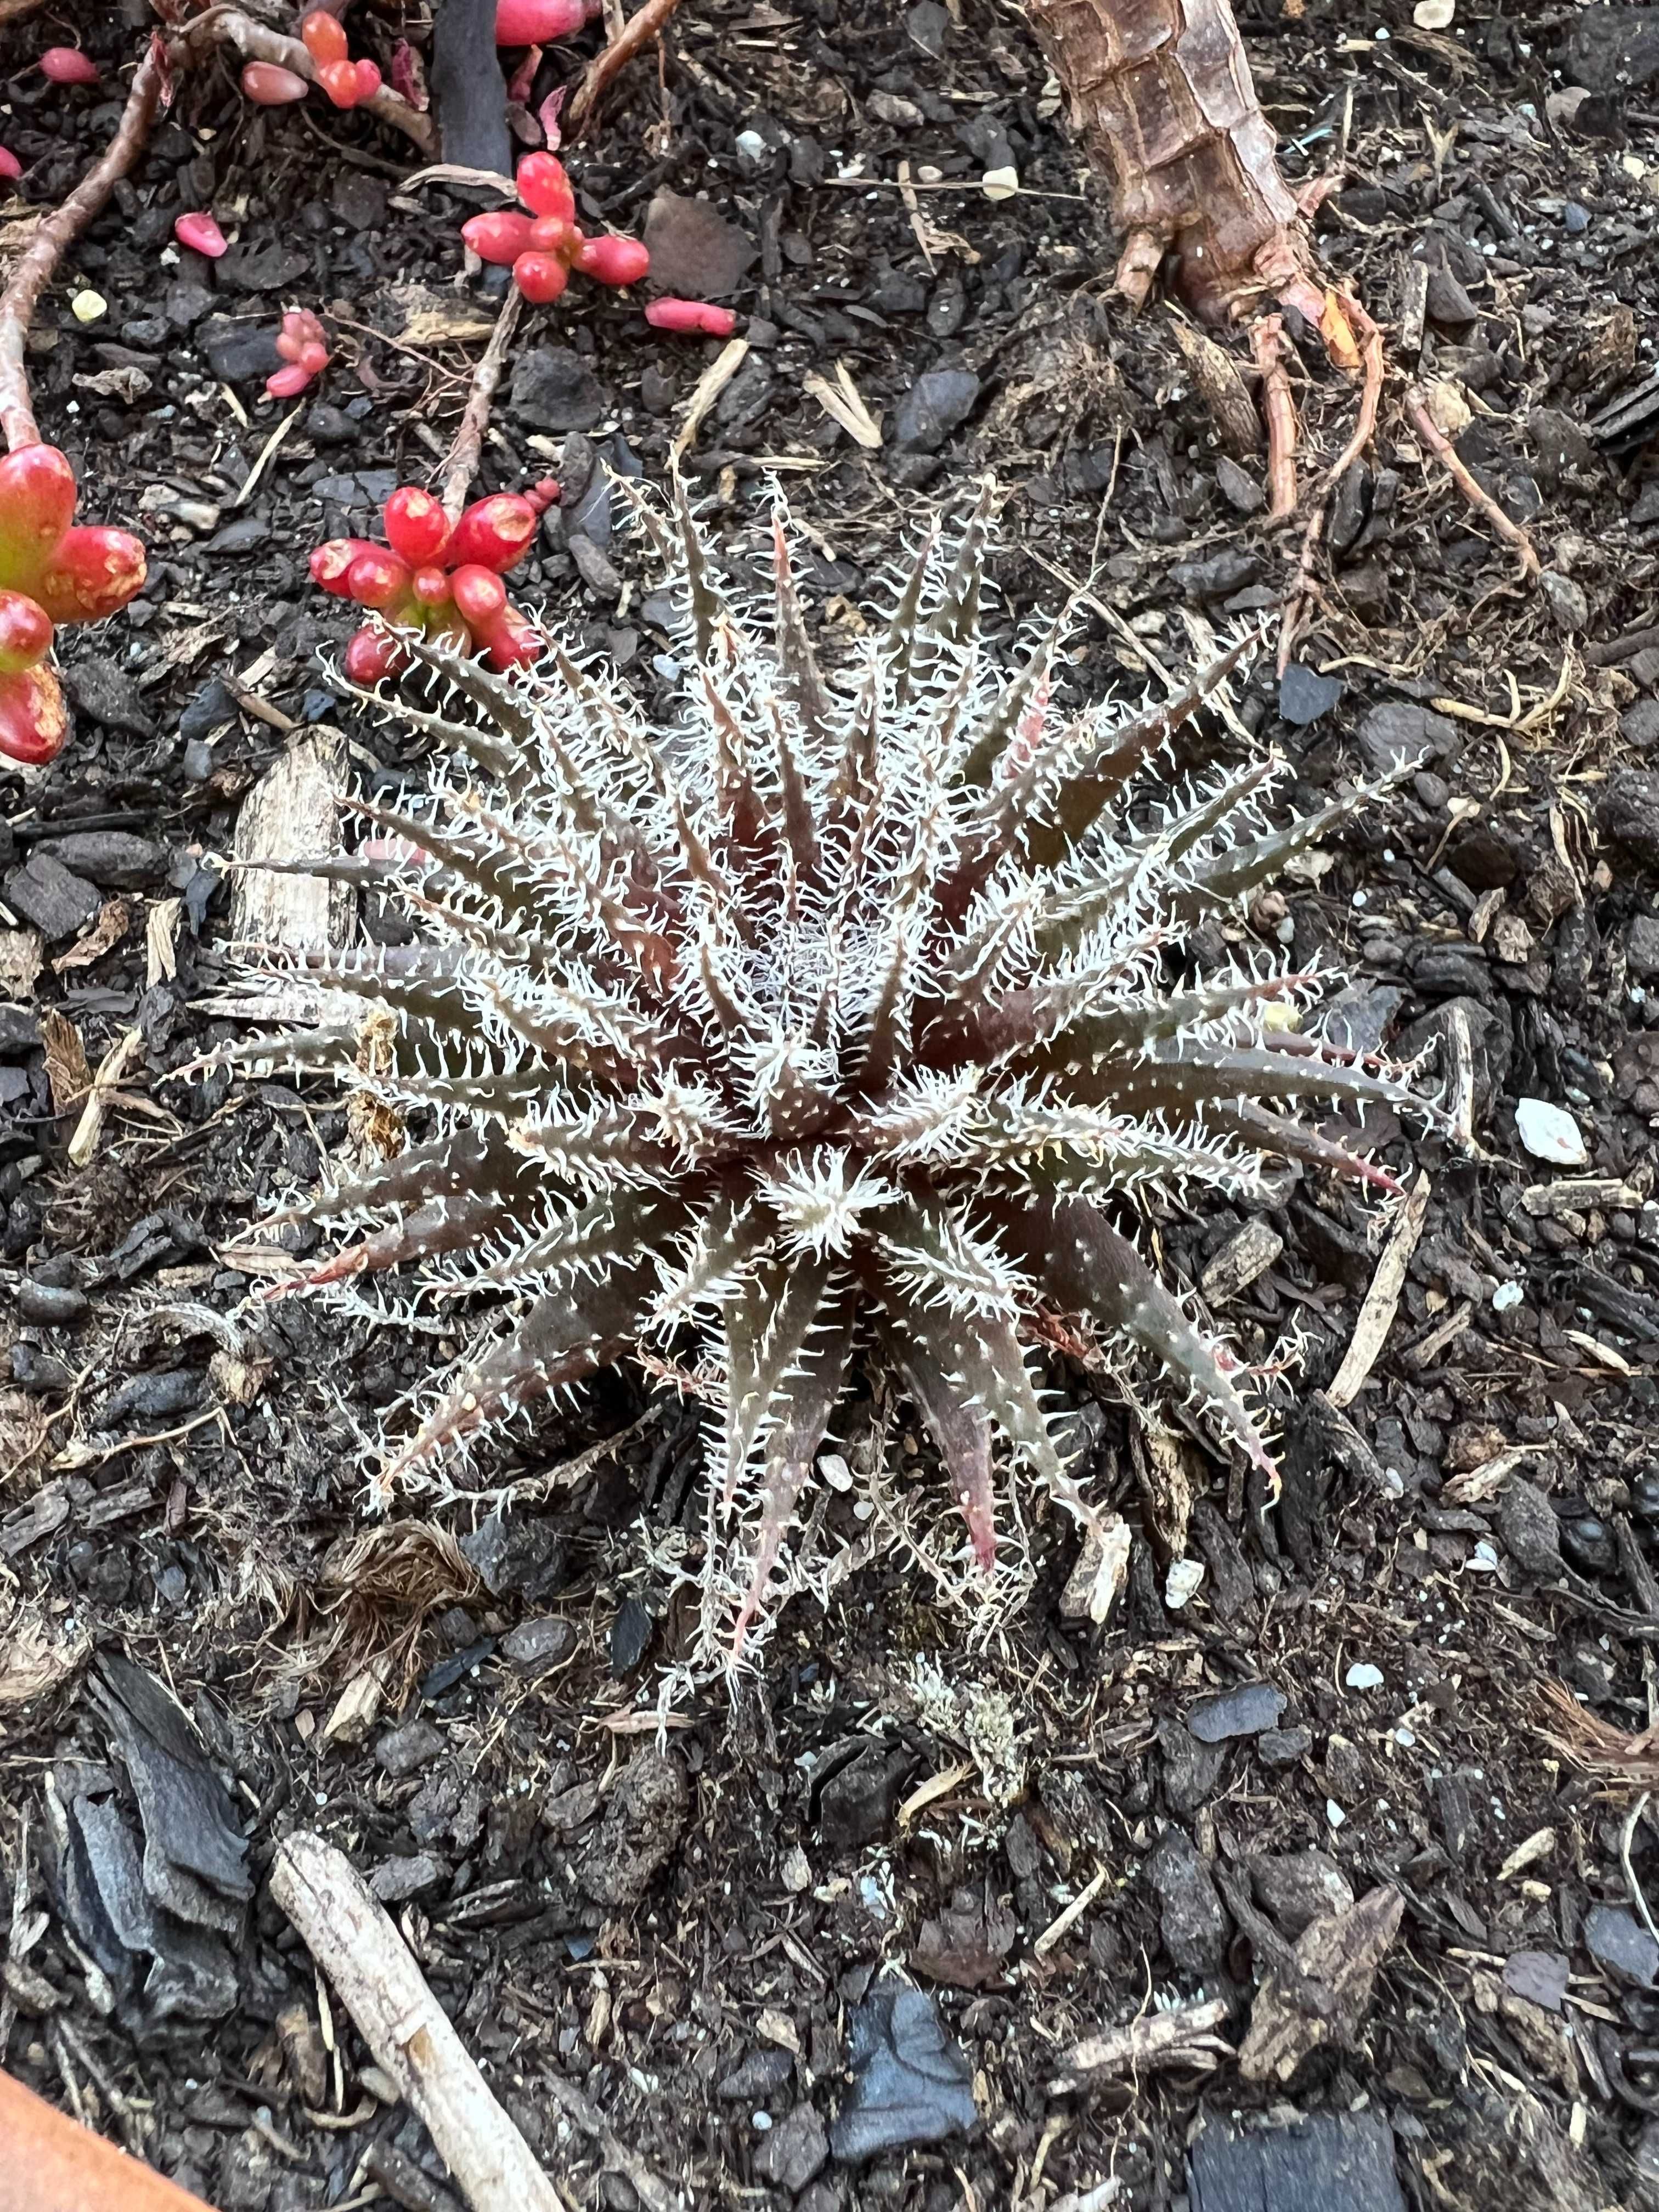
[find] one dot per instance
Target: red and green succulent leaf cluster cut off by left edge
(52, 570)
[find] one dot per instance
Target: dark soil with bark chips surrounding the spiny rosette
(466, 1704)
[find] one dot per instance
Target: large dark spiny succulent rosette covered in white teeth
(831, 1016)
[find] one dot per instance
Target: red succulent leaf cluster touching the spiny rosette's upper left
(439, 581)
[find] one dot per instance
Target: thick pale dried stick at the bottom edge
(353, 1939)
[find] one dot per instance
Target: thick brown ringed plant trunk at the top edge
(1162, 98)
